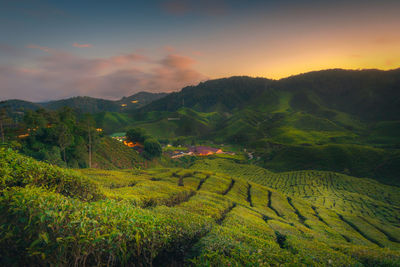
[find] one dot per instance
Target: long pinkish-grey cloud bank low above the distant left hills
(59, 74)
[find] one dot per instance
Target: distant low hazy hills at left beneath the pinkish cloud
(85, 104)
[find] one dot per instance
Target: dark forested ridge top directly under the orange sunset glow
(368, 94)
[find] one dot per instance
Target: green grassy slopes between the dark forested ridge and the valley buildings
(288, 140)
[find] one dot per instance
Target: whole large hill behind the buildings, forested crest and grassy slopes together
(334, 120)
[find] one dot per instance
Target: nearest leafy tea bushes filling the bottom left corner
(58, 230)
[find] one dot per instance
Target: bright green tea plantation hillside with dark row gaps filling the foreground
(230, 215)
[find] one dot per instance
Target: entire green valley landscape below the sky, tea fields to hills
(232, 172)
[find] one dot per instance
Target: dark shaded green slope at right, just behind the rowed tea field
(355, 160)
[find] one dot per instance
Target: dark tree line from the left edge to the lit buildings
(59, 137)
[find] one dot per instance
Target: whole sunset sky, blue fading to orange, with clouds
(108, 49)
